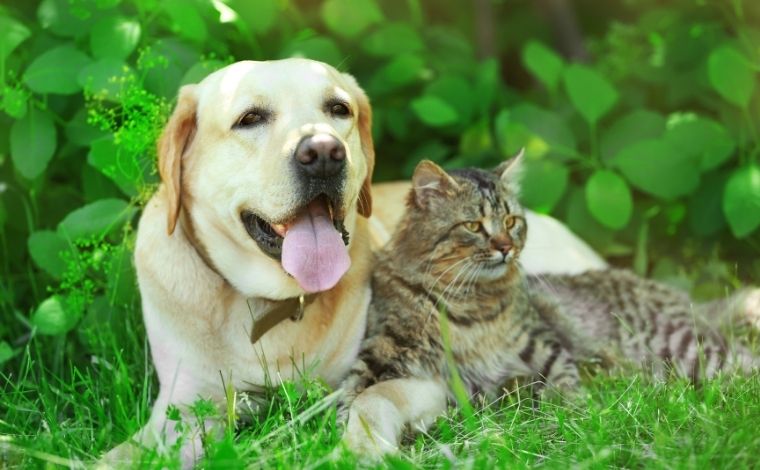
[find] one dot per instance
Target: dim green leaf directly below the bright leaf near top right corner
(703, 139)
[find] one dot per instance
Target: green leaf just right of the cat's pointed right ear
(543, 184)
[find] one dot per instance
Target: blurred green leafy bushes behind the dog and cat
(649, 148)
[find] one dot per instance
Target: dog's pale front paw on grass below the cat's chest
(379, 414)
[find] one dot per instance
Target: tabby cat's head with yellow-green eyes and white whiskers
(469, 216)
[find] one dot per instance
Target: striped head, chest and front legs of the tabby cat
(435, 263)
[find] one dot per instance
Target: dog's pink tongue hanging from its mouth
(313, 251)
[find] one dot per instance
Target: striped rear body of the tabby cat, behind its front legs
(624, 319)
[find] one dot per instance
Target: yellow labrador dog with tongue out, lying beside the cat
(254, 254)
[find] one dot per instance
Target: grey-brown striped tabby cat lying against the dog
(455, 254)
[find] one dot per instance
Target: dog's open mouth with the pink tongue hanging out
(312, 245)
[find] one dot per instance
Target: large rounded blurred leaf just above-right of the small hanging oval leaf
(655, 167)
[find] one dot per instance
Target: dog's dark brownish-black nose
(321, 155)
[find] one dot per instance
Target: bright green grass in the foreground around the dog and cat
(59, 407)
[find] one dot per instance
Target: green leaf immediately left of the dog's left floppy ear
(119, 166)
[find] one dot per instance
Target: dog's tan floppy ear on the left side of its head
(174, 141)
